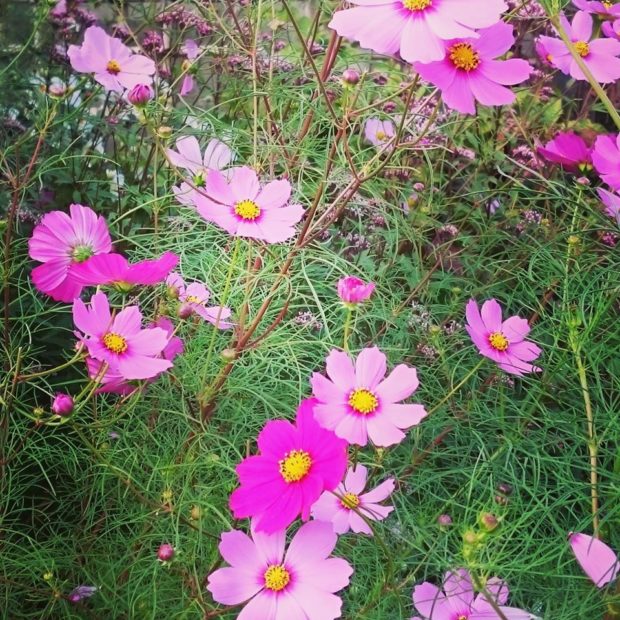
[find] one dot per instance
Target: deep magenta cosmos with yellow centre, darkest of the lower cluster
(297, 462)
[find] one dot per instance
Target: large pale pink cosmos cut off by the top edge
(415, 28)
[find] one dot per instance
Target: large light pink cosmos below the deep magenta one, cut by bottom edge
(281, 585)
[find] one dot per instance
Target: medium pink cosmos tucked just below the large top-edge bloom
(470, 73)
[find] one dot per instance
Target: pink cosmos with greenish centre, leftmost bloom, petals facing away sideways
(63, 241)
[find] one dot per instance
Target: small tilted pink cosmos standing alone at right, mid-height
(502, 341)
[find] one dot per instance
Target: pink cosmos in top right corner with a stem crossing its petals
(599, 55)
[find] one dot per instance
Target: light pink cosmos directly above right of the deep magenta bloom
(359, 404)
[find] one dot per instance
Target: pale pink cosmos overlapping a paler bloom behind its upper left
(243, 209)
